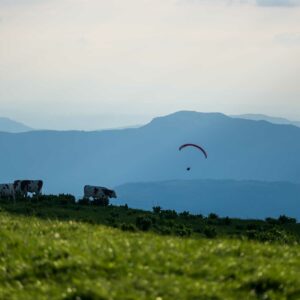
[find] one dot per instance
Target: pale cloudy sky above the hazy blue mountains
(92, 64)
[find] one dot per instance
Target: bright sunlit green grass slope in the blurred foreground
(51, 259)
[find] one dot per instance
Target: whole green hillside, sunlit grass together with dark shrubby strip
(62, 250)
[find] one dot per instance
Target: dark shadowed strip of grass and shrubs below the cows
(163, 222)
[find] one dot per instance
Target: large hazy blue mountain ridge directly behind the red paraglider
(237, 149)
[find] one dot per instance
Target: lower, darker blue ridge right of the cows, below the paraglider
(246, 199)
